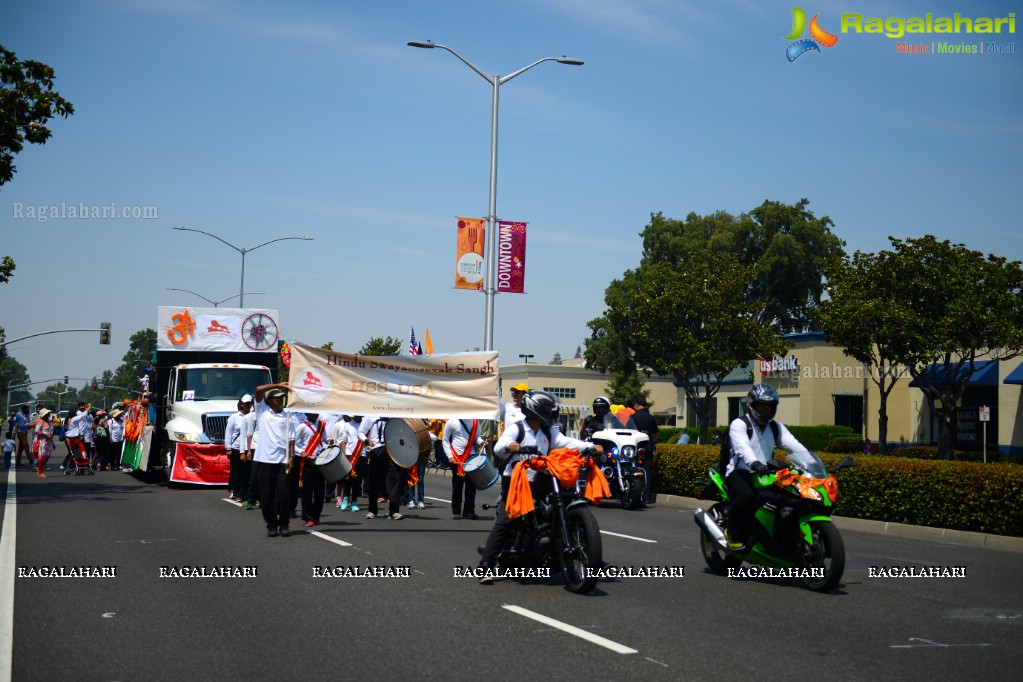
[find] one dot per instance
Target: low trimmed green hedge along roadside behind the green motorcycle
(958, 495)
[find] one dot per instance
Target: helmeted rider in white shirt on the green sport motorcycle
(750, 454)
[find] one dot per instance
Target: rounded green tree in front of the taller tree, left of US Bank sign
(690, 321)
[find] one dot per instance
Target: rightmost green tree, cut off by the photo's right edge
(956, 307)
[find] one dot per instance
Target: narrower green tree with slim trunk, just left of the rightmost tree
(861, 315)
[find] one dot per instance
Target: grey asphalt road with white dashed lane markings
(285, 623)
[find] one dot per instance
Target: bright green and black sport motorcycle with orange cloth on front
(792, 528)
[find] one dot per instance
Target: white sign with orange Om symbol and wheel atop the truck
(193, 329)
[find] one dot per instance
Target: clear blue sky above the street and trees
(260, 120)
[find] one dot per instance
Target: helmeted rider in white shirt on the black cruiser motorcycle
(539, 430)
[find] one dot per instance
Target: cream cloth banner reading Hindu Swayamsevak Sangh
(439, 387)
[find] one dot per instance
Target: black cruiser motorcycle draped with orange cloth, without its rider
(561, 531)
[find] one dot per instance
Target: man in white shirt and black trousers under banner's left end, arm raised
(275, 428)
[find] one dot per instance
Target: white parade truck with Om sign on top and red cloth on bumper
(206, 360)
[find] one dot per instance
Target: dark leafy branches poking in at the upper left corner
(28, 102)
